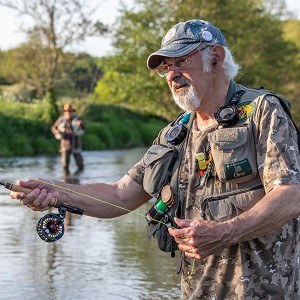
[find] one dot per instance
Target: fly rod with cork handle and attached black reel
(50, 227)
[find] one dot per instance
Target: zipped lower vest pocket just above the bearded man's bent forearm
(225, 206)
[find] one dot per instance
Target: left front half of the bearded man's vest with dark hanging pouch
(161, 163)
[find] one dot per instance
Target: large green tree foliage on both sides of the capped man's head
(254, 34)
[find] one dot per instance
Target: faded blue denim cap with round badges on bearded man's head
(184, 37)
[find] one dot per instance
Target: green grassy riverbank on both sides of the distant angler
(25, 128)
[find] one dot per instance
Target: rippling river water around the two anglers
(95, 259)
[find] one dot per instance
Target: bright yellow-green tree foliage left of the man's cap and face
(126, 78)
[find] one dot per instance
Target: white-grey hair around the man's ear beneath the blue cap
(231, 68)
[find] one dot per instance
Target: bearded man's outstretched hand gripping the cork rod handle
(41, 196)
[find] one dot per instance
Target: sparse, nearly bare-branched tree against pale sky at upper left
(56, 25)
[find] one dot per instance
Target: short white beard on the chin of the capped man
(187, 100)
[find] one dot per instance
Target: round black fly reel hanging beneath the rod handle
(50, 227)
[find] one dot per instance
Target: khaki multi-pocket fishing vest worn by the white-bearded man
(235, 170)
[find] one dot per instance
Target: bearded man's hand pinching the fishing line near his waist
(199, 239)
